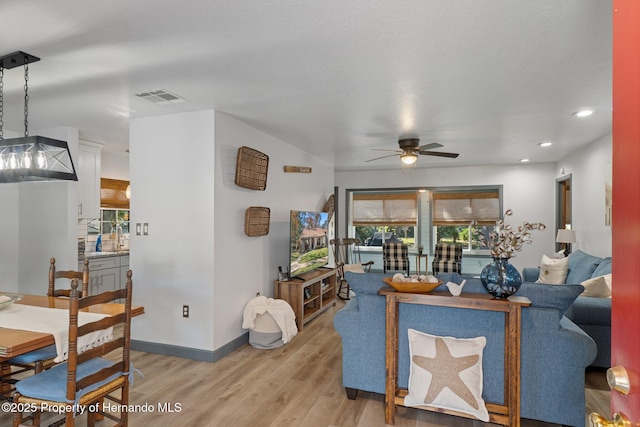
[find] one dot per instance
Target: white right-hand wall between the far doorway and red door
(587, 168)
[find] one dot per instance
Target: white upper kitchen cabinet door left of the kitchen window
(88, 180)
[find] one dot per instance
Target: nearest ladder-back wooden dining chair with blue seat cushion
(86, 378)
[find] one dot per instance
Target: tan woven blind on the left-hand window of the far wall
(385, 208)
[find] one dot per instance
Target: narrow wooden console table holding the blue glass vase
(506, 414)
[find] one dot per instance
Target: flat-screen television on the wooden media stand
(308, 244)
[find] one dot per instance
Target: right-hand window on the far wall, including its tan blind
(454, 211)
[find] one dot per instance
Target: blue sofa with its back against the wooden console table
(555, 351)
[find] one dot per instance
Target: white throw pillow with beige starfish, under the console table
(446, 373)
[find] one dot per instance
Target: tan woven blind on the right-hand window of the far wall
(460, 208)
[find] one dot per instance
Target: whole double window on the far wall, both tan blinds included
(423, 217)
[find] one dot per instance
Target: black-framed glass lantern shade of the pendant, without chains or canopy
(35, 158)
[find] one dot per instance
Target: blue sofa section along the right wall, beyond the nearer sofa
(592, 315)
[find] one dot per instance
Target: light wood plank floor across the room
(298, 384)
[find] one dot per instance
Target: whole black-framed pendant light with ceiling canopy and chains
(30, 158)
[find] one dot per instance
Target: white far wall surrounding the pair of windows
(528, 190)
